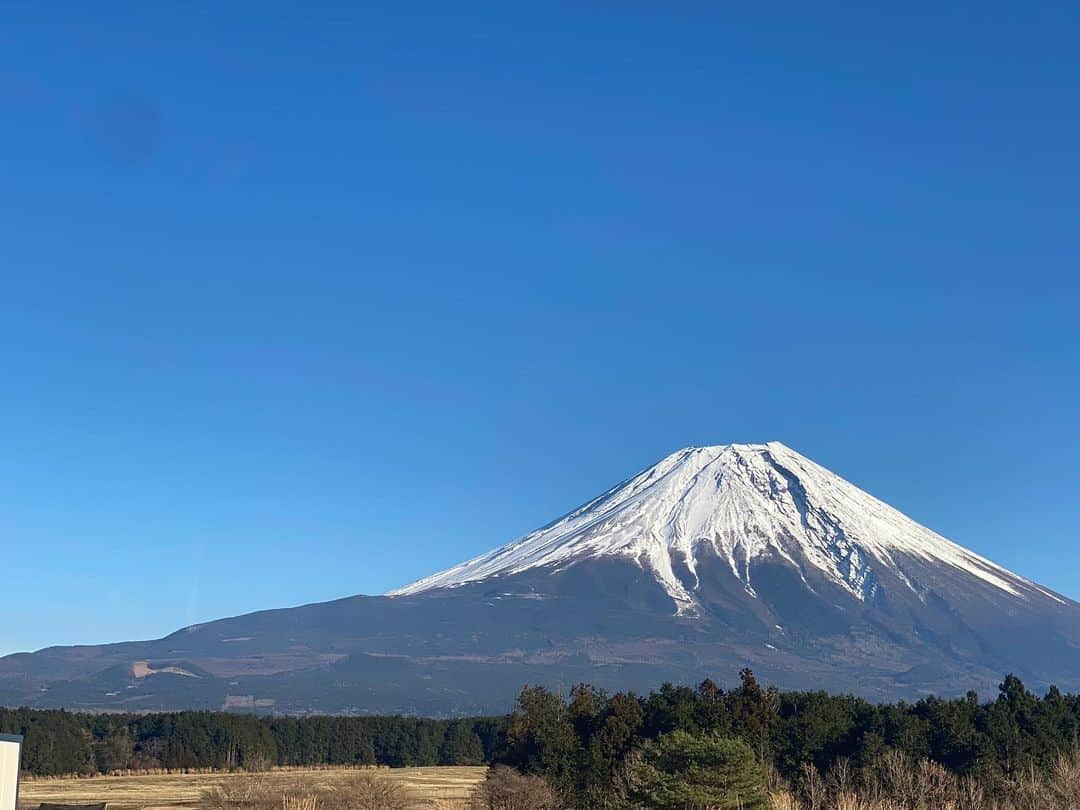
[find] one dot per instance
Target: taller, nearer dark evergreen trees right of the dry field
(589, 745)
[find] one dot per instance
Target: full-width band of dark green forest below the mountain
(577, 742)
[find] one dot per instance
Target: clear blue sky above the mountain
(300, 303)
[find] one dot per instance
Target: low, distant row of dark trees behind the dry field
(59, 742)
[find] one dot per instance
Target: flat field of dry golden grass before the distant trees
(450, 785)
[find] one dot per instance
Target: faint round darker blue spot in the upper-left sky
(126, 130)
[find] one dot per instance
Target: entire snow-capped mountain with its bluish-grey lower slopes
(712, 560)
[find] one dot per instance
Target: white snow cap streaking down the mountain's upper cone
(741, 503)
